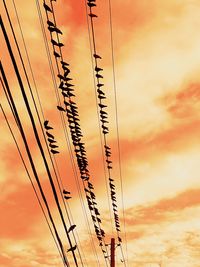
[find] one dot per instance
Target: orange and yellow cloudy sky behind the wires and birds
(156, 48)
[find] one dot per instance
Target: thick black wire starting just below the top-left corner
(37, 138)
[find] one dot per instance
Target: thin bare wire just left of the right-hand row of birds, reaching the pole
(101, 141)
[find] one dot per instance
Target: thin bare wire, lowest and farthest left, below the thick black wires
(29, 176)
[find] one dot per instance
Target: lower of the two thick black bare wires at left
(29, 153)
